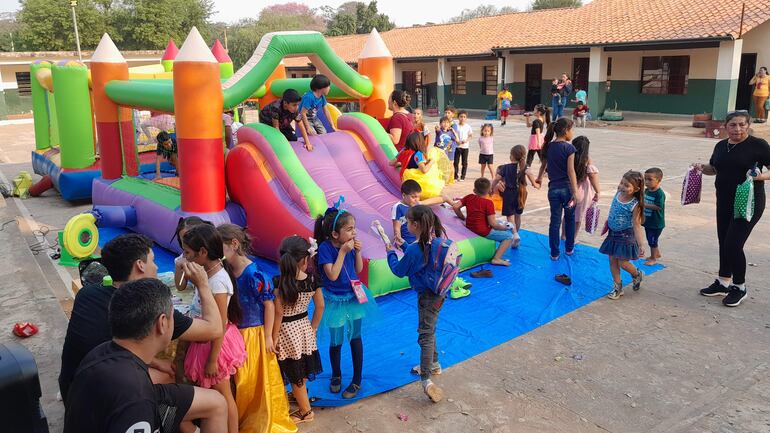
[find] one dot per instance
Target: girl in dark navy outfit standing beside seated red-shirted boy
(511, 177)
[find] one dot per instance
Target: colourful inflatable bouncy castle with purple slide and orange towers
(271, 186)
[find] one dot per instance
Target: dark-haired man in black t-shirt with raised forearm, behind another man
(128, 258)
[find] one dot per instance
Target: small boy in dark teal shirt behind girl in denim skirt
(654, 212)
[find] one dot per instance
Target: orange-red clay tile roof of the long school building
(600, 22)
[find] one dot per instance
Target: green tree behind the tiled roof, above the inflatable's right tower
(355, 18)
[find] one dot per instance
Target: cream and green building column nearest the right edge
(726, 87)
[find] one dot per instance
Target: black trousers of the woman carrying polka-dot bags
(733, 234)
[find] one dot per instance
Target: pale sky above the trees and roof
(402, 12)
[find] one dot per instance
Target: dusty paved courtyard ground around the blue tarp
(661, 360)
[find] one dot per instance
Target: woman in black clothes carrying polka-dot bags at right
(730, 162)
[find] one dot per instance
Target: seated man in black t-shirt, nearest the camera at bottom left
(112, 391)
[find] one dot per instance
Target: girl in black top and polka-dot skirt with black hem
(293, 332)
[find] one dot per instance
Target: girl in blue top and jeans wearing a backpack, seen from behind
(417, 264)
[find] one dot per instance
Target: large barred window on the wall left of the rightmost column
(667, 75)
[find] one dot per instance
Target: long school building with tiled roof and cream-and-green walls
(659, 56)
